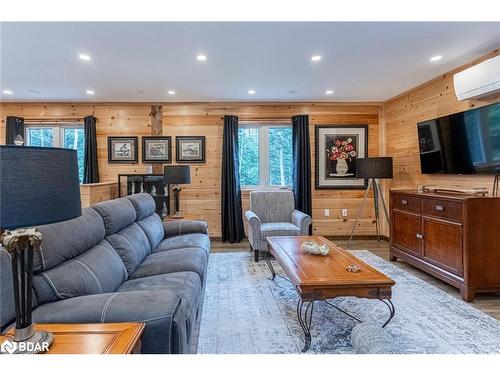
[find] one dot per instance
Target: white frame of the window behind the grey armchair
(264, 177)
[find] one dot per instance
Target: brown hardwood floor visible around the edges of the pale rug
(489, 303)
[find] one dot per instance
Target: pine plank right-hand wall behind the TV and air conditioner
(427, 101)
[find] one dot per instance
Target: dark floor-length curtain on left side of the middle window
(231, 211)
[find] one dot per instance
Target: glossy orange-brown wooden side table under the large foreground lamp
(105, 338)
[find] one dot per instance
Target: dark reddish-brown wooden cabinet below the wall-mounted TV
(453, 237)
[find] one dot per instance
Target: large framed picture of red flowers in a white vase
(337, 148)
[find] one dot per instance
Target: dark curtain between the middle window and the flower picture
(301, 172)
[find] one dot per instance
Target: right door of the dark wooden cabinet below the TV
(443, 245)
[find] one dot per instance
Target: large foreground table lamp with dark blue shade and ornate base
(38, 185)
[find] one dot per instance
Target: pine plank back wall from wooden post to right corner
(203, 195)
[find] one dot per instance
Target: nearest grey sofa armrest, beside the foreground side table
(164, 330)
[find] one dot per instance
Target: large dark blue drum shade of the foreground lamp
(38, 185)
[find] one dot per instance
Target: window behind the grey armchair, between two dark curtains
(265, 153)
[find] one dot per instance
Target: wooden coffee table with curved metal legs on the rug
(320, 278)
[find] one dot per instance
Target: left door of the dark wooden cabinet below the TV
(406, 232)
